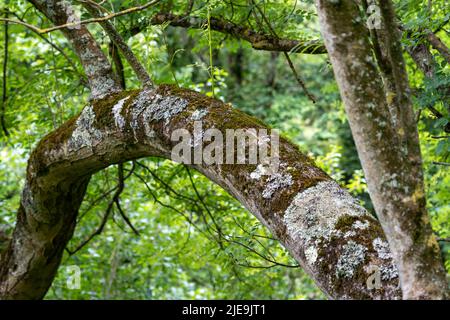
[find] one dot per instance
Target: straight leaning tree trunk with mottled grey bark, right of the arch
(382, 123)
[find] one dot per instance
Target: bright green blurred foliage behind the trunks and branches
(194, 240)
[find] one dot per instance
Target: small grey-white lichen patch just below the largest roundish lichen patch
(352, 256)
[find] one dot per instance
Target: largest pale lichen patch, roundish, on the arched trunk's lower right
(312, 215)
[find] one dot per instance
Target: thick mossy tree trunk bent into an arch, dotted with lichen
(334, 239)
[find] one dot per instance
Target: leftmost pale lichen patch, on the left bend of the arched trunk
(85, 134)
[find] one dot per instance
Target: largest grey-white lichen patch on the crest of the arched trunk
(149, 107)
